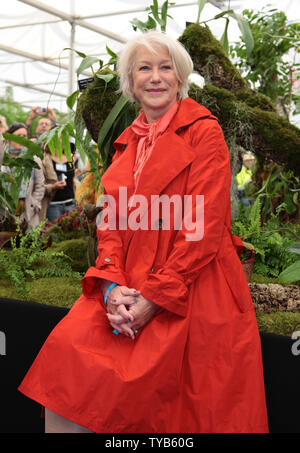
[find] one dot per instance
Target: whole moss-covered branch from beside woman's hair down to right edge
(248, 116)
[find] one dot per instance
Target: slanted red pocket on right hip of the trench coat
(236, 280)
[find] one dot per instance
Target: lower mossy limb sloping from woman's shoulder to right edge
(262, 131)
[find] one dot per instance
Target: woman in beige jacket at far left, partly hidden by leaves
(32, 189)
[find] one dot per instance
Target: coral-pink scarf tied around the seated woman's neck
(147, 134)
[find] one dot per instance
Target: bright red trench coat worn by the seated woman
(196, 366)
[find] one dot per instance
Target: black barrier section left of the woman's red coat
(24, 327)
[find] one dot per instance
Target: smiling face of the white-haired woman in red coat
(154, 81)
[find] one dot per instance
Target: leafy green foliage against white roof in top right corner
(267, 67)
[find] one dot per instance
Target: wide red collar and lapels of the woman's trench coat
(170, 155)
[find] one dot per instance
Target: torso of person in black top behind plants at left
(59, 186)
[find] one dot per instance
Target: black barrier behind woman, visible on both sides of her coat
(24, 326)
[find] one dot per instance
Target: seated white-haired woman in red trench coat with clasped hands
(164, 337)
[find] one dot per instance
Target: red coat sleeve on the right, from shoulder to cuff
(210, 177)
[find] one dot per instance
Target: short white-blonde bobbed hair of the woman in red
(182, 62)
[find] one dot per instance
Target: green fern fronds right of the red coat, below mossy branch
(270, 239)
